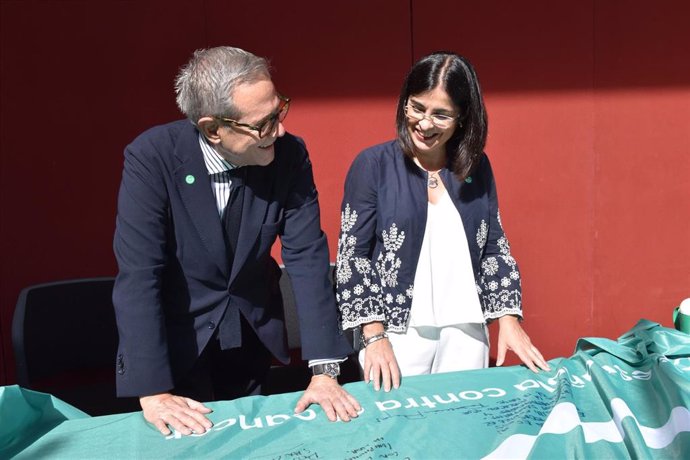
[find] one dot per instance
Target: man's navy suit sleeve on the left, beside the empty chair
(140, 240)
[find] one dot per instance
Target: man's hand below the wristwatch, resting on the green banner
(334, 400)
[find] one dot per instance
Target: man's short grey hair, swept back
(204, 85)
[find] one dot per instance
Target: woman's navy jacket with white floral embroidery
(383, 218)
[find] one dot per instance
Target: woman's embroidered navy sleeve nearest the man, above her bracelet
(358, 291)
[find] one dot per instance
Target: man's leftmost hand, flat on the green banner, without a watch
(183, 414)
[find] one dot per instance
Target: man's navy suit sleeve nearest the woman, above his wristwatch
(306, 258)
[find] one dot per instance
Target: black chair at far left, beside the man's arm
(65, 341)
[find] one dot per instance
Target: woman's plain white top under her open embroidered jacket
(445, 293)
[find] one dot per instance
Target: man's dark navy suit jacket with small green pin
(175, 282)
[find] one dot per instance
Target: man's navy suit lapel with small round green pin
(193, 183)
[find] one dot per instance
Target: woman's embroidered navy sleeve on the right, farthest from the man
(499, 287)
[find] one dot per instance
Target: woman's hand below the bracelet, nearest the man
(380, 364)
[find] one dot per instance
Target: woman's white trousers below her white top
(430, 350)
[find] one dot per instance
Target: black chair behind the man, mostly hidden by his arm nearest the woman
(296, 375)
